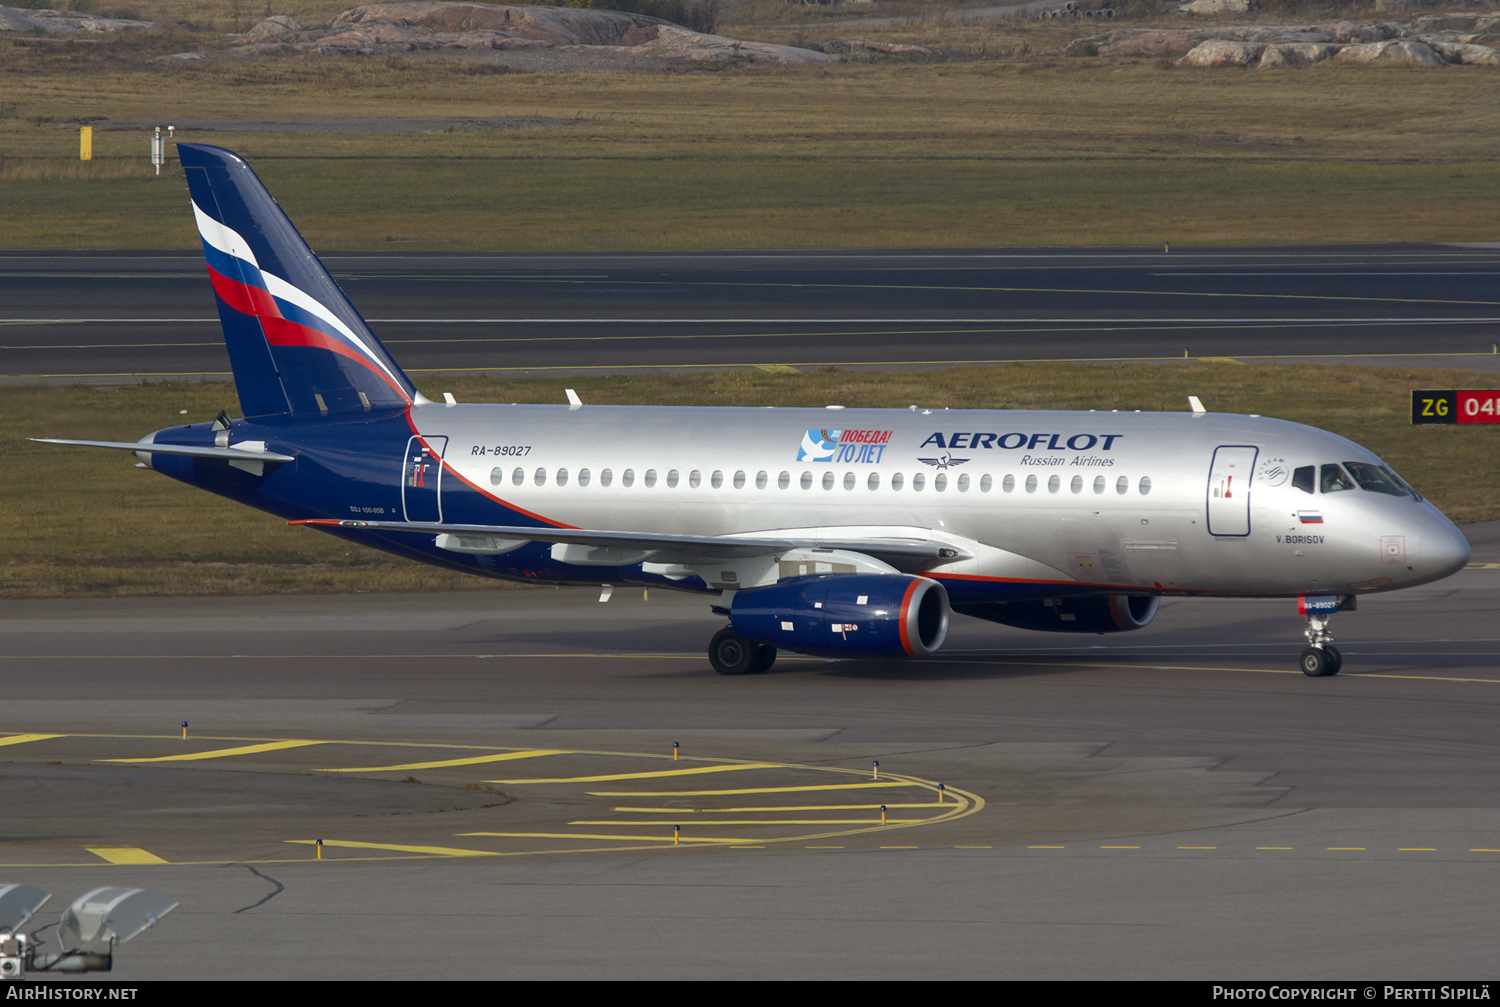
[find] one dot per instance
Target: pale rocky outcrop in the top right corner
(1289, 46)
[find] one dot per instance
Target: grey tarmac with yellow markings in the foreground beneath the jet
(494, 781)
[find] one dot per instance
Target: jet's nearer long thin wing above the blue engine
(899, 553)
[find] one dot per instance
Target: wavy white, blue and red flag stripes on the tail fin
(289, 316)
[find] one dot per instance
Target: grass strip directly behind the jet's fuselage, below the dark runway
(86, 525)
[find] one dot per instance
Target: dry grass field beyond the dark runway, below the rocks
(977, 154)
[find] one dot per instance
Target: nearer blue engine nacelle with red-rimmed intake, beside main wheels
(847, 616)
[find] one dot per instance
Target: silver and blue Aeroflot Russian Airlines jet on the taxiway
(847, 534)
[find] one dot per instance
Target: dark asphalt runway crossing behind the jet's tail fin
(121, 316)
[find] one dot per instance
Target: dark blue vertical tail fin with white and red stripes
(296, 343)
